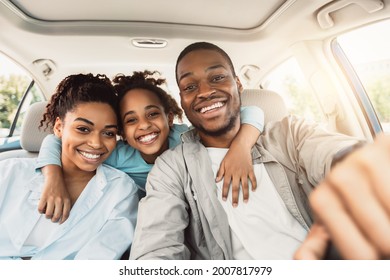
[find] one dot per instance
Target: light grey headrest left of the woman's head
(31, 136)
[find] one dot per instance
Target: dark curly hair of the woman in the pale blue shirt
(76, 89)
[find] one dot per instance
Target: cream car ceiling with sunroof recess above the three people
(126, 35)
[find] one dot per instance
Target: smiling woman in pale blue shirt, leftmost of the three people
(82, 113)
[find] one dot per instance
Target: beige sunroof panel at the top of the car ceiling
(217, 13)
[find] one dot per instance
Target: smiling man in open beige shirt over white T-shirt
(183, 215)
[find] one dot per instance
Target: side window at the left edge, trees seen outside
(17, 92)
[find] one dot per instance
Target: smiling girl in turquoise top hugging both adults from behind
(147, 113)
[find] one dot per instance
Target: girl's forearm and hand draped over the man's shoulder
(237, 165)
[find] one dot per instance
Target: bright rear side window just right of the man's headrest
(288, 80)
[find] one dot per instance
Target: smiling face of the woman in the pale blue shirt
(88, 135)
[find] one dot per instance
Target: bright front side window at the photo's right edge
(365, 57)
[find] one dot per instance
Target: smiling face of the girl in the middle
(146, 125)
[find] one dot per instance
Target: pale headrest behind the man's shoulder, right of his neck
(269, 101)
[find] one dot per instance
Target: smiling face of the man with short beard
(209, 92)
